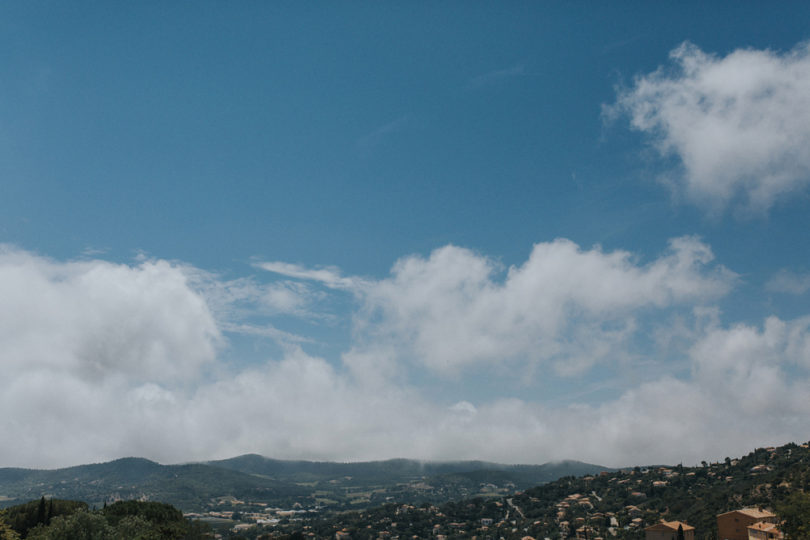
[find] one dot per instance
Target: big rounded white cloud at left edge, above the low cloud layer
(98, 320)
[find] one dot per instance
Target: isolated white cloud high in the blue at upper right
(739, 124)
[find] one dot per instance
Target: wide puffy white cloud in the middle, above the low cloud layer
(566, 305)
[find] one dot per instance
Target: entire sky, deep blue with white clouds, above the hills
(356, 231)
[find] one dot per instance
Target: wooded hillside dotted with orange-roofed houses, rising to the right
(735, 499)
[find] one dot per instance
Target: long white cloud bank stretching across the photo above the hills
(103, 360)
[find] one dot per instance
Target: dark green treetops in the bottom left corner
(55, 519)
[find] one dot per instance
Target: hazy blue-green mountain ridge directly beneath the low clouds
(198, 486)
